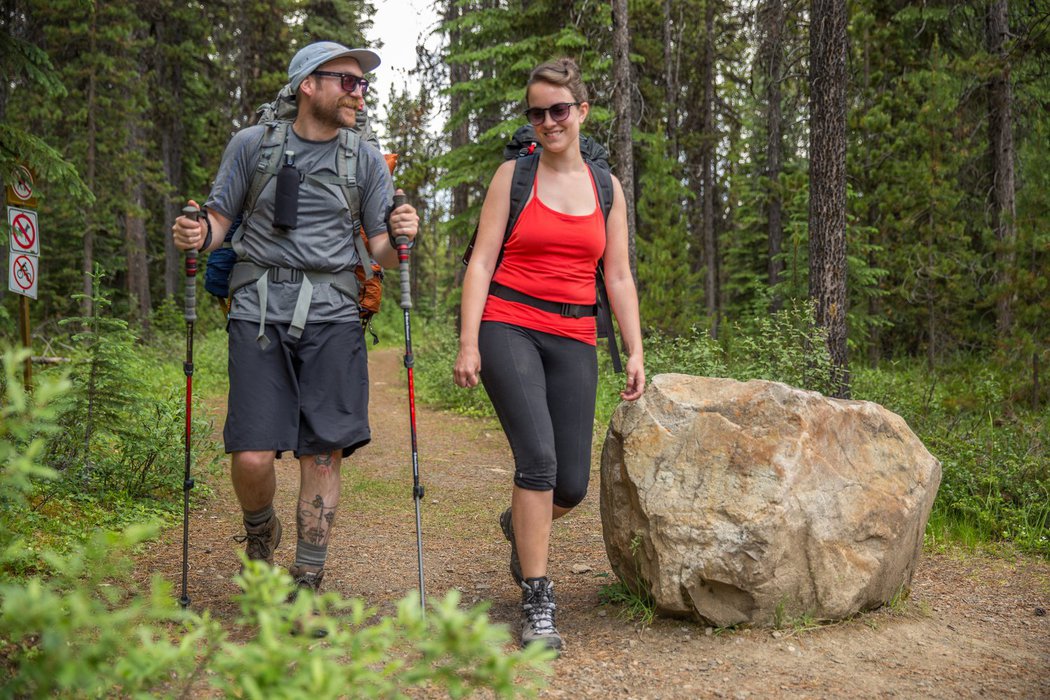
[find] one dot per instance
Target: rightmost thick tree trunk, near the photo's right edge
(1001, 141)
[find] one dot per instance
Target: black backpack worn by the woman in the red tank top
(524, 149)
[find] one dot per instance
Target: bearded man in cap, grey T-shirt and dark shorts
(296, 386)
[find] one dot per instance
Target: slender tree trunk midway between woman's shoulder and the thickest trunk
(711, 287)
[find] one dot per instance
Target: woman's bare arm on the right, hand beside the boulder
(623, 295)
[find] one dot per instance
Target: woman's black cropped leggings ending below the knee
(543, 389)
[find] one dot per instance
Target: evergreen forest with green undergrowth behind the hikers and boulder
(849, 197)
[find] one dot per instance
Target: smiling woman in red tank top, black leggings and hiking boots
(540, 369)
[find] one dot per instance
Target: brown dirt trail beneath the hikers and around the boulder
(975, 626)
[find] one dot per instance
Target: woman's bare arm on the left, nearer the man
(479, 273)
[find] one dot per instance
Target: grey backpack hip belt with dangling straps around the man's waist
(246, 273)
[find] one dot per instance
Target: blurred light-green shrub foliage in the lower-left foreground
(82, 628)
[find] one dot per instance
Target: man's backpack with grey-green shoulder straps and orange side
(278, 116)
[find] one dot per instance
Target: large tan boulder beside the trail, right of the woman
(754, 503)
